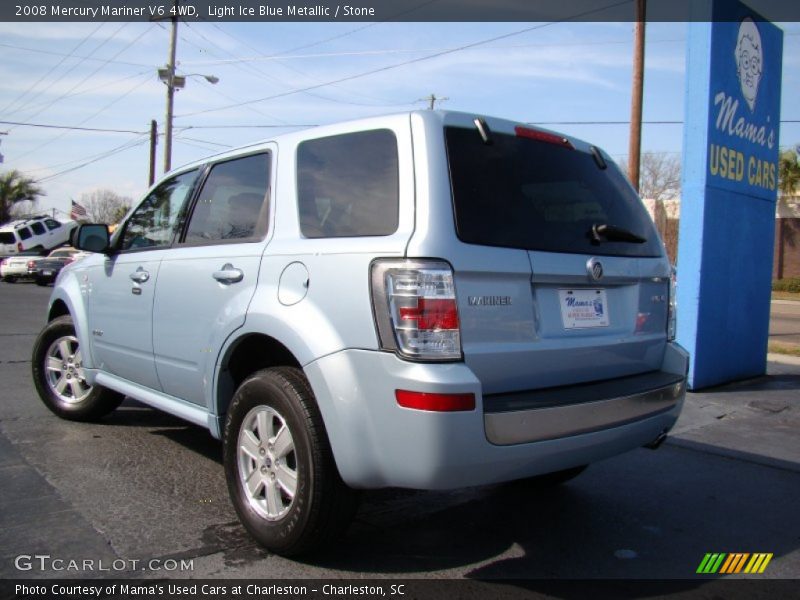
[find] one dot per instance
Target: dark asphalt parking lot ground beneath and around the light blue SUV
(143, 486)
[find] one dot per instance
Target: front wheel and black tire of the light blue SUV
(74, 403)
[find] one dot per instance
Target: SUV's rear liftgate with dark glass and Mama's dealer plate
(576, 289)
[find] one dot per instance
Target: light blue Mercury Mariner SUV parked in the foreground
(427, 300)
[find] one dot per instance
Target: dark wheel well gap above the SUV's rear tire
(248, 355)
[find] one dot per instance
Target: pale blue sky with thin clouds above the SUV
(103, 75)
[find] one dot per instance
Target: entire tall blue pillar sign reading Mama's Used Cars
(729, 189)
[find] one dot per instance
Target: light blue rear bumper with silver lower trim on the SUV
(377, 443)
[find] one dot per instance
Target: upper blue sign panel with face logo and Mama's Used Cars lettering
(745, 101)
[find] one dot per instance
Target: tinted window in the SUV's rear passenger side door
(232, 204)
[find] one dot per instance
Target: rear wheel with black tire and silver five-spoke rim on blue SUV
(322, 506)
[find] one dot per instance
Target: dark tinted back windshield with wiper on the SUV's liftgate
(523, 193)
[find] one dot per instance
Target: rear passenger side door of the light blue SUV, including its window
(206, 282)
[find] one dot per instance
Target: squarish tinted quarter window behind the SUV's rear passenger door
(347, 185)
